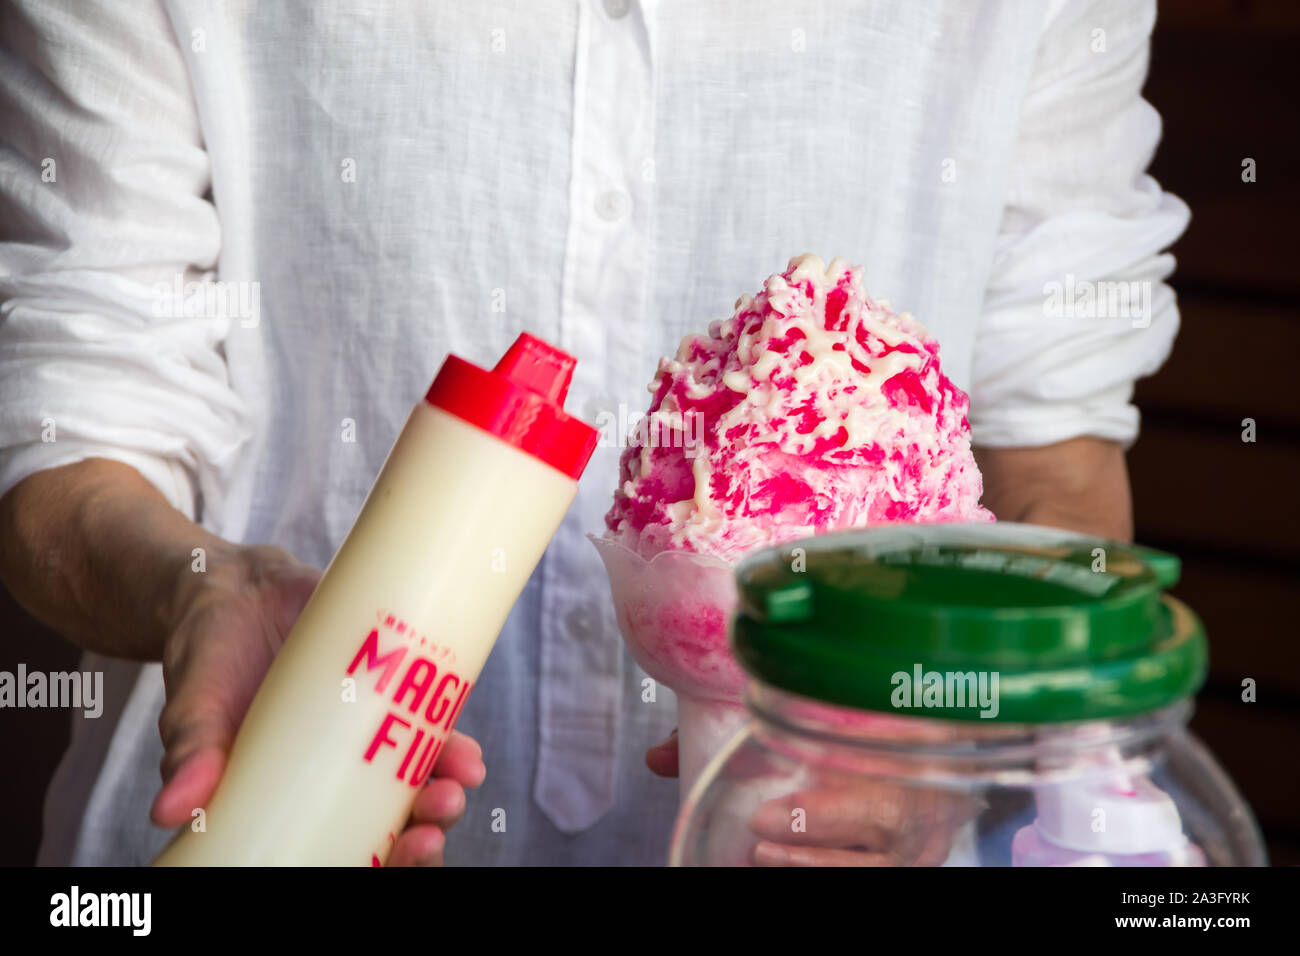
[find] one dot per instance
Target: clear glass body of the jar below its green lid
(809, 784)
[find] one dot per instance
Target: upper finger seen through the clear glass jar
(843, 817)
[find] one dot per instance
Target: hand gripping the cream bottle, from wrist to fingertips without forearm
(231, 622)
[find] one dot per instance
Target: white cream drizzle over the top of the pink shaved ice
(769, 416)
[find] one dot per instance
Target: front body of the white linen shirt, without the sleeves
(400, 181)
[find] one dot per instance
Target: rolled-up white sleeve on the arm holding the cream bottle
(103, 220)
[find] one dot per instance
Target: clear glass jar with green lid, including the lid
(1061, 742)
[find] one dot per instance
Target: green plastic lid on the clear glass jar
(1008, 622)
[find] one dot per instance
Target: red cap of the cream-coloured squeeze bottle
(521, 401)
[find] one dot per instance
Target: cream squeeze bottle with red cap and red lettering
(361, 700)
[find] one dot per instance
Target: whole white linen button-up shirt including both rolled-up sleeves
(388, 183)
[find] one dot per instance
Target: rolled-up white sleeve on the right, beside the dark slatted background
(1077, 309)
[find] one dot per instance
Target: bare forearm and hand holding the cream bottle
(97, 553)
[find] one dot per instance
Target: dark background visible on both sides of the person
(1225, 79)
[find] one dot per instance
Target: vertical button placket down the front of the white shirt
(603, 319)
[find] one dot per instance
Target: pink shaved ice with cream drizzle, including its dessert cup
(812, 409)
